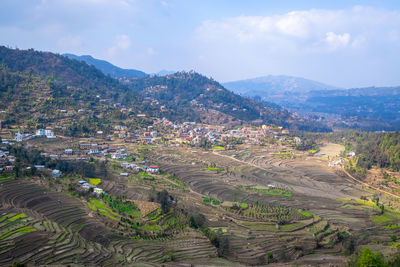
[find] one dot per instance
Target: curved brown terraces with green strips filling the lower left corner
(43, 227)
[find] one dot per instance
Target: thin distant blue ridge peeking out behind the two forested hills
(108, 68)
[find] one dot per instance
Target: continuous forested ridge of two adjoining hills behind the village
(35, 87)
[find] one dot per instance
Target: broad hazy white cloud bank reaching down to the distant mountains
(357, 44)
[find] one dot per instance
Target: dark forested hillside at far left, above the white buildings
(36, 86)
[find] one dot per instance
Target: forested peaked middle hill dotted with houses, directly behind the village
(192, 96)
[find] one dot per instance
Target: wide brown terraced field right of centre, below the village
(308, 184)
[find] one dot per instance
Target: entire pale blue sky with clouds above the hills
(344, 43)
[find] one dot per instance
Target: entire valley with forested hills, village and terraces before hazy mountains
(176, 170)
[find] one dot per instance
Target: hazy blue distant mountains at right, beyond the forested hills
(369, 108)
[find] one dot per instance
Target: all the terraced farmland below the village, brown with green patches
(261, 208)
